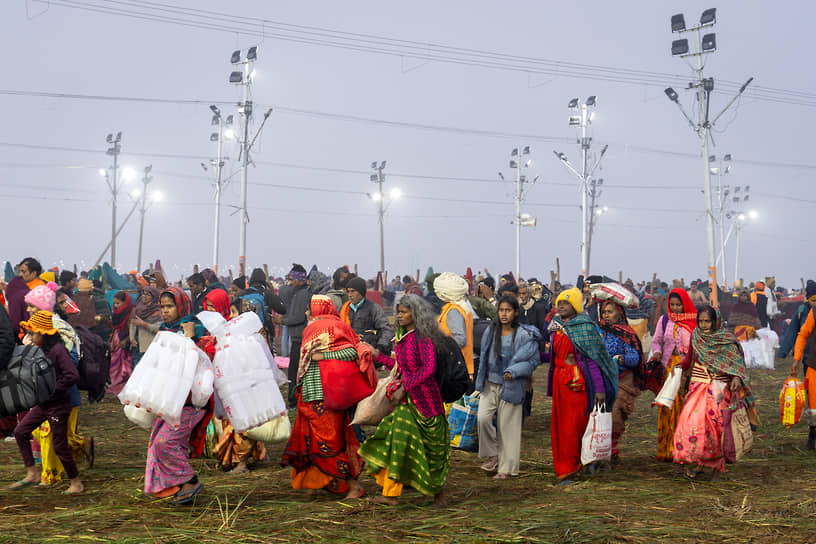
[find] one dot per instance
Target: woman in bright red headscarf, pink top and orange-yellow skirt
(670, 345)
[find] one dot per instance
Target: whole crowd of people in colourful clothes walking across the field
(602, 352)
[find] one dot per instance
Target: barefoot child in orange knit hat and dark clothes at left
(56, 410)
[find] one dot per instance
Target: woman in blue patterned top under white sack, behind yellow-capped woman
(624, 347)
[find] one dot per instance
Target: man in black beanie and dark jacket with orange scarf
(366, 318)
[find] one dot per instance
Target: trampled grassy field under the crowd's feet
(769, 497)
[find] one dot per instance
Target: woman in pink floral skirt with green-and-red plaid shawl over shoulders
(719, 383)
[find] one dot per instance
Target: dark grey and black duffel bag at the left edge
(28, 380)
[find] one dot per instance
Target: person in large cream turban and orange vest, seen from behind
(456, 319)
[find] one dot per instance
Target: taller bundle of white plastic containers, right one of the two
(247, 379)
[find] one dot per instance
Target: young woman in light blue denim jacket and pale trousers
(509, 357)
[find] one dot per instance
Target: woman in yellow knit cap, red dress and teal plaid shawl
(582, 374)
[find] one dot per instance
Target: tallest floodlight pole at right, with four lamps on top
(703, 44)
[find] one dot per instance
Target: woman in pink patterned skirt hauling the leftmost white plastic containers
(168, 470)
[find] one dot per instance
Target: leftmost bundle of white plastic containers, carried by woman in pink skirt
(171, 369)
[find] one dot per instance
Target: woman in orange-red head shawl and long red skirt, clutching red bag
(322, 449)
